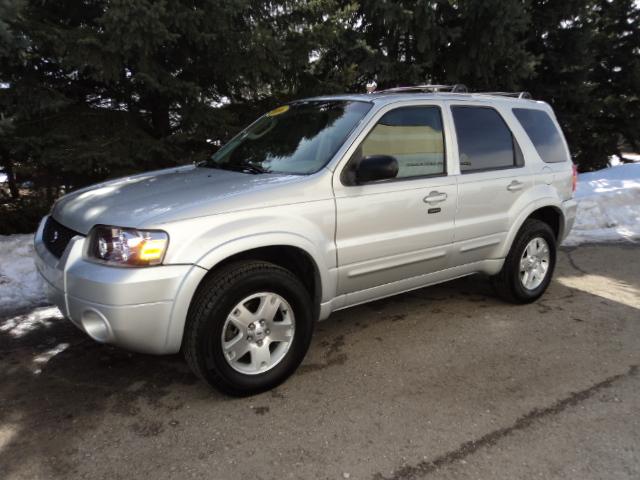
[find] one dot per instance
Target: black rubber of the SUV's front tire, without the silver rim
(210, 352)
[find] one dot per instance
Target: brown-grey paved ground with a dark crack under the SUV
(444, 382)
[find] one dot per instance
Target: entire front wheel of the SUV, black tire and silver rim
(248, 328)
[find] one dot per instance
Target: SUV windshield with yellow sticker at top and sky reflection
(299, 138)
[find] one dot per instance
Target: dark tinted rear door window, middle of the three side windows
(484, 140)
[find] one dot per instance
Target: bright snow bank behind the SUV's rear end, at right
(608, 206)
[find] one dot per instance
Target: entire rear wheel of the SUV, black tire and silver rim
(529, 266)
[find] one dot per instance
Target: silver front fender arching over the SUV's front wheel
(207, 241)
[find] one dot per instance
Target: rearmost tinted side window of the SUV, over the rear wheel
(543, 134)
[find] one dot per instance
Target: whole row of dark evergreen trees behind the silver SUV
(102, 88)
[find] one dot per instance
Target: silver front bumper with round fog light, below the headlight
(140, 309)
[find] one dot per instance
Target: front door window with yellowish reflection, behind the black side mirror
(414, 136)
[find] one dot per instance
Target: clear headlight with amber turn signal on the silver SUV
(127, 246)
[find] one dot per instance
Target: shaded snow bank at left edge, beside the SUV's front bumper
(20, 284)
